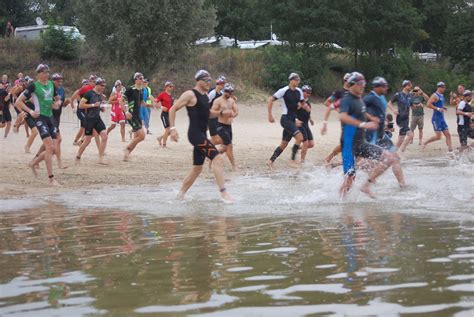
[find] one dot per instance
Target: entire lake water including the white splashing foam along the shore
(288, 247)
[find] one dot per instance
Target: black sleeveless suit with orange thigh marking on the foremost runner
(198, 121)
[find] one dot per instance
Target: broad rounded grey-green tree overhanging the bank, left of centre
(143, 33)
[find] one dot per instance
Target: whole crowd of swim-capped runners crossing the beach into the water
(366, 126)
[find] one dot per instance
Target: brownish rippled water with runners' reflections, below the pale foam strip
(100, 261)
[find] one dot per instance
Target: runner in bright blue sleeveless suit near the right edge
(436, 102)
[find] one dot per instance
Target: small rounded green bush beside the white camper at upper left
(56, 43)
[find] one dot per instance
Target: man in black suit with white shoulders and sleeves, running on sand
(293, 98)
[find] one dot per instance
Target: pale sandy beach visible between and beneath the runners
(254, 138)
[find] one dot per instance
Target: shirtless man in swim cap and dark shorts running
(225, 108)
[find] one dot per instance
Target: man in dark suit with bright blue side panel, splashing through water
(353, 119)
